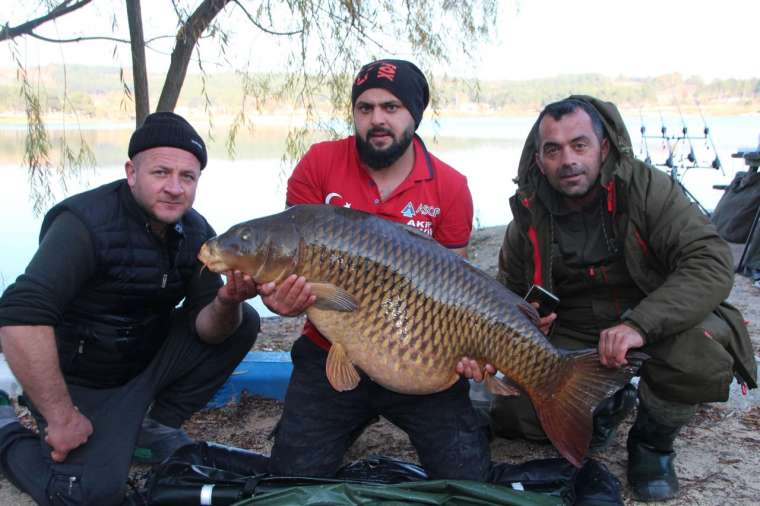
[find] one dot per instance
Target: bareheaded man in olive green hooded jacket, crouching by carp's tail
(635, 265)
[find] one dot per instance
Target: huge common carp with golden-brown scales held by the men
(404, 309)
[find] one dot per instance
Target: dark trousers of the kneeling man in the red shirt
(318, 423)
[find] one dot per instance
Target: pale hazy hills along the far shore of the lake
(105, 93)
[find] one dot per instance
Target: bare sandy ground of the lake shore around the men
(718, 453)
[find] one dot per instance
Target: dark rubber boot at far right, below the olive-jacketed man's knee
(651, 473)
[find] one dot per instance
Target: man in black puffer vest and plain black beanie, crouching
(93, 330)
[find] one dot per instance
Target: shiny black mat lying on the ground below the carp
(222, 475)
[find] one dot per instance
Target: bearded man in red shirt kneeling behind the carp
(384, 169)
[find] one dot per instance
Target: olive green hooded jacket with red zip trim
(672, 251)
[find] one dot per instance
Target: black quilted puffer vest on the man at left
(113, 327)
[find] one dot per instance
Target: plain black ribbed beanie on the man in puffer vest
(166, 129)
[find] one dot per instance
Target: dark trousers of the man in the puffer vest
(179, 381)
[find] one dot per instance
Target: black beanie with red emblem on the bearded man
(400, 77)
